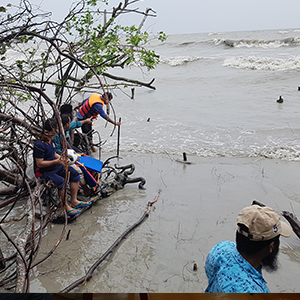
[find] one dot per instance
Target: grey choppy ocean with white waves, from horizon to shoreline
(216, 95)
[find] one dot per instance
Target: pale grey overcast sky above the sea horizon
(195, 16)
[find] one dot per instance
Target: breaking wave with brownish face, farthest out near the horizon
(292, 41)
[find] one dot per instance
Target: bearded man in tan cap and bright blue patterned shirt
(236, 268)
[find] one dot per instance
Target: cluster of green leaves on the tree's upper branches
(109, 45)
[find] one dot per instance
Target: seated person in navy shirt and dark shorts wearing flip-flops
(49, 165)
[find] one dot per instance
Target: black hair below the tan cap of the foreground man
(244, 245)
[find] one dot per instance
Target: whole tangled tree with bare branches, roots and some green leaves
(44, 64)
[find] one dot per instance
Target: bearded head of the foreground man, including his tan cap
(259, 229)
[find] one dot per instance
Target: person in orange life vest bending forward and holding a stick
(92, 107)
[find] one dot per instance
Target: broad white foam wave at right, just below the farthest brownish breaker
(262, 63)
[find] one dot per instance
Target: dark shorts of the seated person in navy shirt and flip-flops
(58, 176)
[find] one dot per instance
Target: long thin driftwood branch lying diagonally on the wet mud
(111, 249)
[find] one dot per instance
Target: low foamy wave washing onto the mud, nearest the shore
(213, 146)
